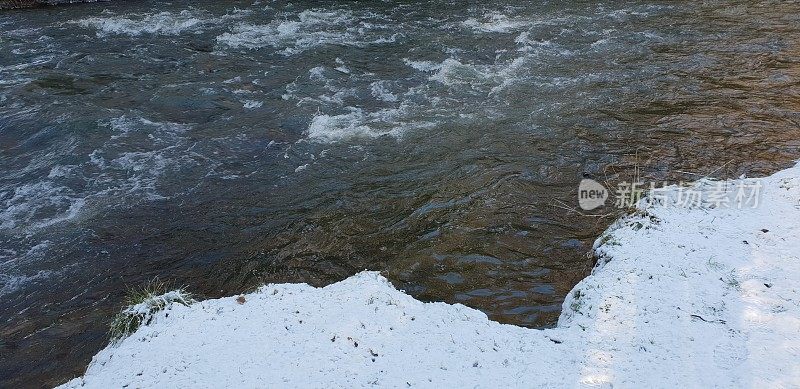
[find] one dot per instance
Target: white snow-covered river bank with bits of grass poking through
(698, 297)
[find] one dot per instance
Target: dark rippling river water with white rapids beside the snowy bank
(221, 145)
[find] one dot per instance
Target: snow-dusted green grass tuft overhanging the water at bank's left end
(141, 306)
